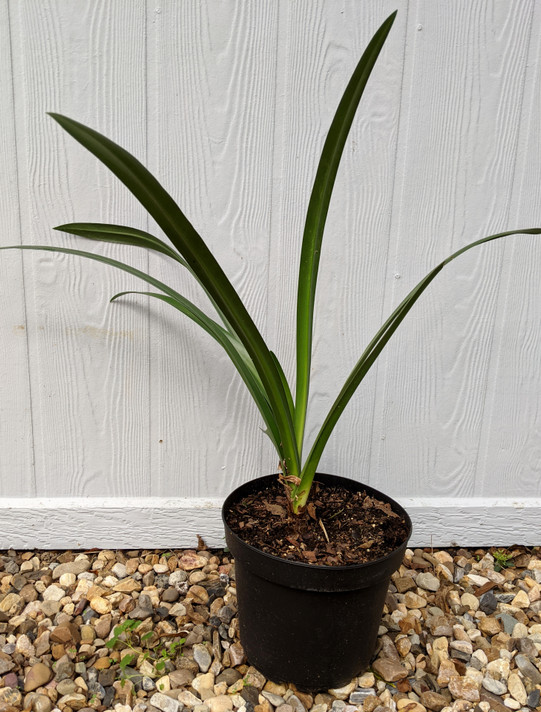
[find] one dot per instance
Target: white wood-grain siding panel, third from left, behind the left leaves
(211, 115)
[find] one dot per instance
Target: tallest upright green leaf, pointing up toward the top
(317, 215)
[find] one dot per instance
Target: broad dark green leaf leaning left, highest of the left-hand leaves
(202, 263)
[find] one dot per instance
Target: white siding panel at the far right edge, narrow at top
(511, 443)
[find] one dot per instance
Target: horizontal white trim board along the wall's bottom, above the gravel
(165, 523)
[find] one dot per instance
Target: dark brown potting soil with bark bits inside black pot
(338, 527)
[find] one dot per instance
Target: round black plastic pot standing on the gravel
(314, 626)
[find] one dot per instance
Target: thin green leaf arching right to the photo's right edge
(370, 355)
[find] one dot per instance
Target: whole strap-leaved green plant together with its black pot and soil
(314, 553)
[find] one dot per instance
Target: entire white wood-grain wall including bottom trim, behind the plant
(122, 425)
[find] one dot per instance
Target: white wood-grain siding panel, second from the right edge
(465, 76)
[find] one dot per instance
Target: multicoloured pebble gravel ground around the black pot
(155, 631)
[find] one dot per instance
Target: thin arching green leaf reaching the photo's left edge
(230, 343)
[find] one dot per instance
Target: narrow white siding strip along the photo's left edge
(16, 446)
